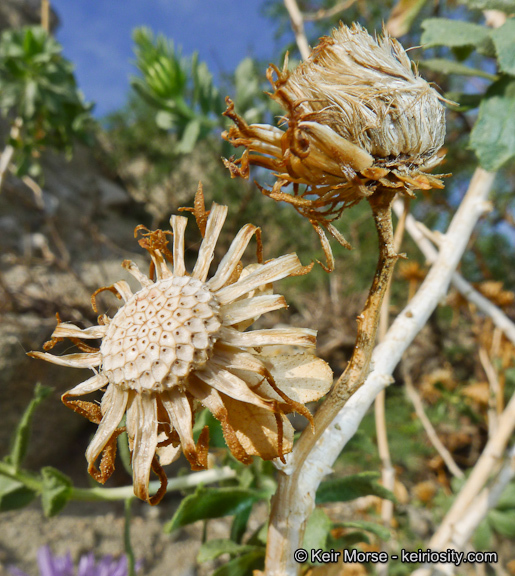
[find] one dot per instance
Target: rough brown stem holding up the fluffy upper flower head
(290, 508)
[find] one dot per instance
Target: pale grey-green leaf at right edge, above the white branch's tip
(493, 135)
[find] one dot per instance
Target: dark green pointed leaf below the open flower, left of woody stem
(211, 503)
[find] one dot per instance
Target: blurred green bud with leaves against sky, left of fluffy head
(180, 89)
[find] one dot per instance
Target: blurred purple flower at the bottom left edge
(50, 565)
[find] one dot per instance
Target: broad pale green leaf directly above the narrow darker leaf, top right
(453, 33)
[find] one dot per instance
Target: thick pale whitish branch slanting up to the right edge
(386, 357)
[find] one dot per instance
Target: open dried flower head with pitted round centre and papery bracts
(179, 344)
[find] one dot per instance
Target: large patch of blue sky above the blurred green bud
(96, 36)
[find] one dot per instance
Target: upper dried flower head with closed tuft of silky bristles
(359, 119)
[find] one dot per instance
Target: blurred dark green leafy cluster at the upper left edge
(37, 86)
